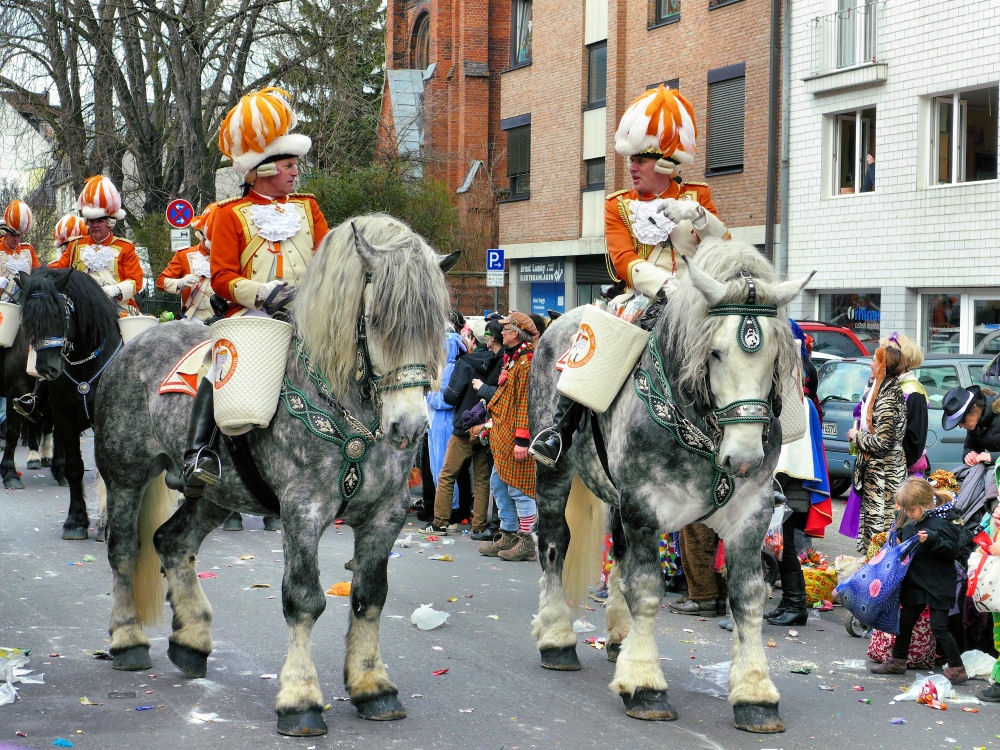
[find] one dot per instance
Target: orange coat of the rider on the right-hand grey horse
(624, 250)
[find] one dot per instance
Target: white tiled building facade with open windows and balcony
(920, 252)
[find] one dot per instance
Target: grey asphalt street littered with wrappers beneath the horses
(54, 600)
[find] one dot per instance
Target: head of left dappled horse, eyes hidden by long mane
(383, 286)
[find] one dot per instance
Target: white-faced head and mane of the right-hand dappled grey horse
(733, 342)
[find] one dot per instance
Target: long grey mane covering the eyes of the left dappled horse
(409, 299)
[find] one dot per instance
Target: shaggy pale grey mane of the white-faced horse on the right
(690, 329)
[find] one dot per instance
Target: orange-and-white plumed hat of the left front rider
(257, 128)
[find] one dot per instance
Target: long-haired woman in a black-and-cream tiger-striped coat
(880, 466)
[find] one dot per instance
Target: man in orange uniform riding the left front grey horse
(260, 242)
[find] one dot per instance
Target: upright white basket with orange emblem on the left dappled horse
(248, 361)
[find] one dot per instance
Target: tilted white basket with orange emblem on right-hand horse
(603, 353)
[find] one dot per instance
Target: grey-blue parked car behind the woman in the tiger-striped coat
(842, 383)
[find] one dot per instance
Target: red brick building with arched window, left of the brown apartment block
(440, 112)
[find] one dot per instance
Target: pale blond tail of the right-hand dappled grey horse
(587, 519)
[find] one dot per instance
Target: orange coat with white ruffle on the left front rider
(243, 258)
